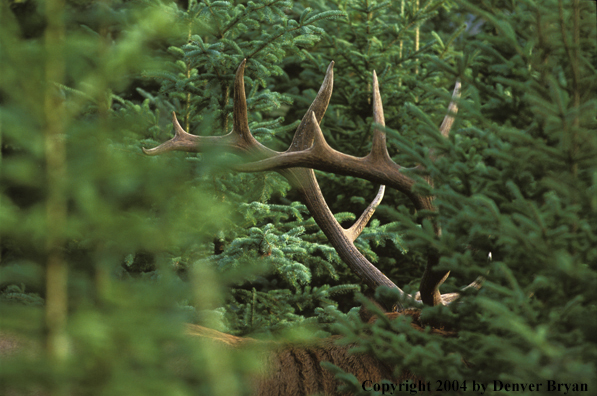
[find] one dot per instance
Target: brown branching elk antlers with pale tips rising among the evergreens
(309, 150)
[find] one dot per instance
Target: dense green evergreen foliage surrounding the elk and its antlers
(107, 253)
